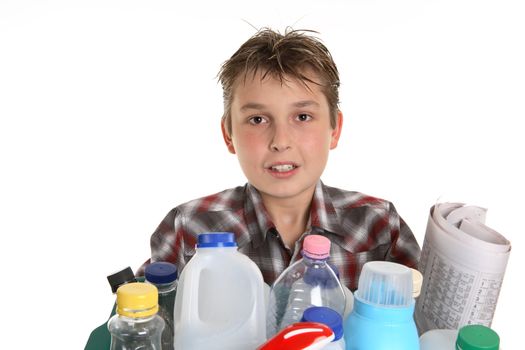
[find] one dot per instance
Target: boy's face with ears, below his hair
(281, 134)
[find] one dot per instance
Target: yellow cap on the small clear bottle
(137, 300)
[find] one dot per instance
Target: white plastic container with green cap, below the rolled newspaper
(471, 337)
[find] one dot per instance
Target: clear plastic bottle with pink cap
(308, 282)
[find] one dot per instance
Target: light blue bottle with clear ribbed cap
(383, 314)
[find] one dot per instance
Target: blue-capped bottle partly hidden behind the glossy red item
(332, 319)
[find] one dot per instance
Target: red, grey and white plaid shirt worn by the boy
(361, 228)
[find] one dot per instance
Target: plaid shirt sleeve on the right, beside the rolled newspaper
(404, 248)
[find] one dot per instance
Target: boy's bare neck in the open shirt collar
(290, 216)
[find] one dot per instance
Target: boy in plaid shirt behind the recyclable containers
(281, 119)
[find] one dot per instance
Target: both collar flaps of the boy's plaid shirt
(323, 216)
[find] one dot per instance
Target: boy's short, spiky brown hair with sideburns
(277, 55)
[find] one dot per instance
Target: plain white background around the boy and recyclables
(109, 117)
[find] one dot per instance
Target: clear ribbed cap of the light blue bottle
(385, 283)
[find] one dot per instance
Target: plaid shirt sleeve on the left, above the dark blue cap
(167, 242)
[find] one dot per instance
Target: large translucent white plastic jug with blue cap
(220, 302)
